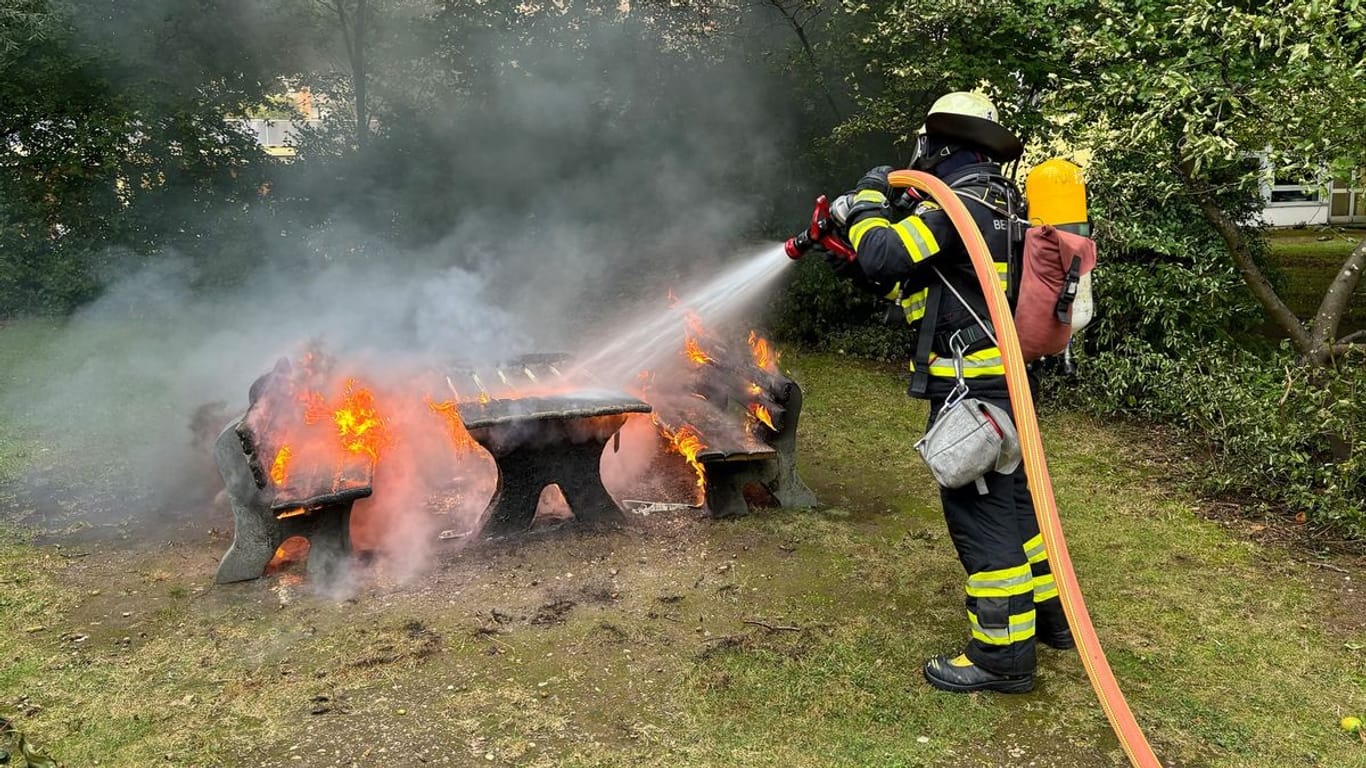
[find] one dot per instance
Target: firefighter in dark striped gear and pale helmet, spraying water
(1012, 596)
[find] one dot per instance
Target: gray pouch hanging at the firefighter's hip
(969, 439)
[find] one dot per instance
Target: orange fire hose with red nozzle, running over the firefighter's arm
(1032, 446)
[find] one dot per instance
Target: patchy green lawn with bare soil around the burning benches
(789, 637)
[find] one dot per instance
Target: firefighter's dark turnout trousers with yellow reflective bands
(1010, 591)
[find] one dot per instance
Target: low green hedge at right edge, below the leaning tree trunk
(1279, 431)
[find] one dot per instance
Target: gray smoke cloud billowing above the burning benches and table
(547, 199)
